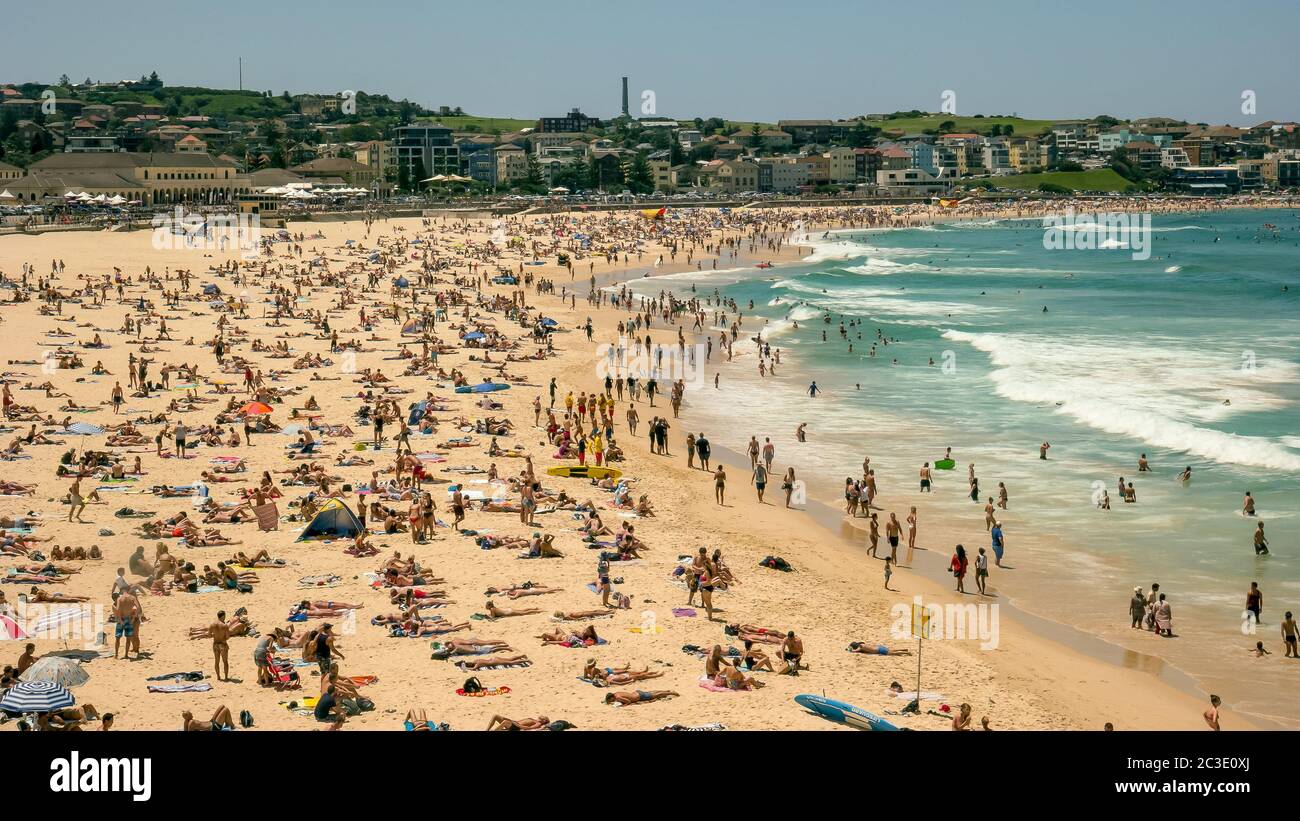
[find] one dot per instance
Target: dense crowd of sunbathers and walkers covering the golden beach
(444, 292)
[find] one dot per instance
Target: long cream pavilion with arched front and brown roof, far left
(151, 177)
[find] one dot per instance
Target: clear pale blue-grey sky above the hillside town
(759, 60)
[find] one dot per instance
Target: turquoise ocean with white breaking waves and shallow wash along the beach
(1190, 357)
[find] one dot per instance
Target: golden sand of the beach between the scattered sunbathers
(833, 598)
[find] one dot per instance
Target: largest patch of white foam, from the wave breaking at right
(1152, 394)
